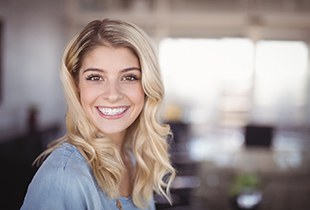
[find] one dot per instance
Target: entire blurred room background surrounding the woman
(237, 83)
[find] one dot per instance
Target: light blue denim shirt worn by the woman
(65, 181)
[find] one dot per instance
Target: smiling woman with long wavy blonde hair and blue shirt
(114, 154)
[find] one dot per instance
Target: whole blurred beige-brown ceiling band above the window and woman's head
(257, 19)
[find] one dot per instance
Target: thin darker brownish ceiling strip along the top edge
(299, 6)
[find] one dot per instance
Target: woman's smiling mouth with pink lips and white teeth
(112, 112)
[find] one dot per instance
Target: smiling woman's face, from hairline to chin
(110, 89)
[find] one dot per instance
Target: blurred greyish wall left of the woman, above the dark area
(33, 43)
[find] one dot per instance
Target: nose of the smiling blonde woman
(113, 92)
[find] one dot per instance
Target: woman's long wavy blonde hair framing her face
(147, 136)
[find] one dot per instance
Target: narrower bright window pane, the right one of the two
(281, 81)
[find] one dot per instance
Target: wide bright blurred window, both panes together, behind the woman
(233, 82)
